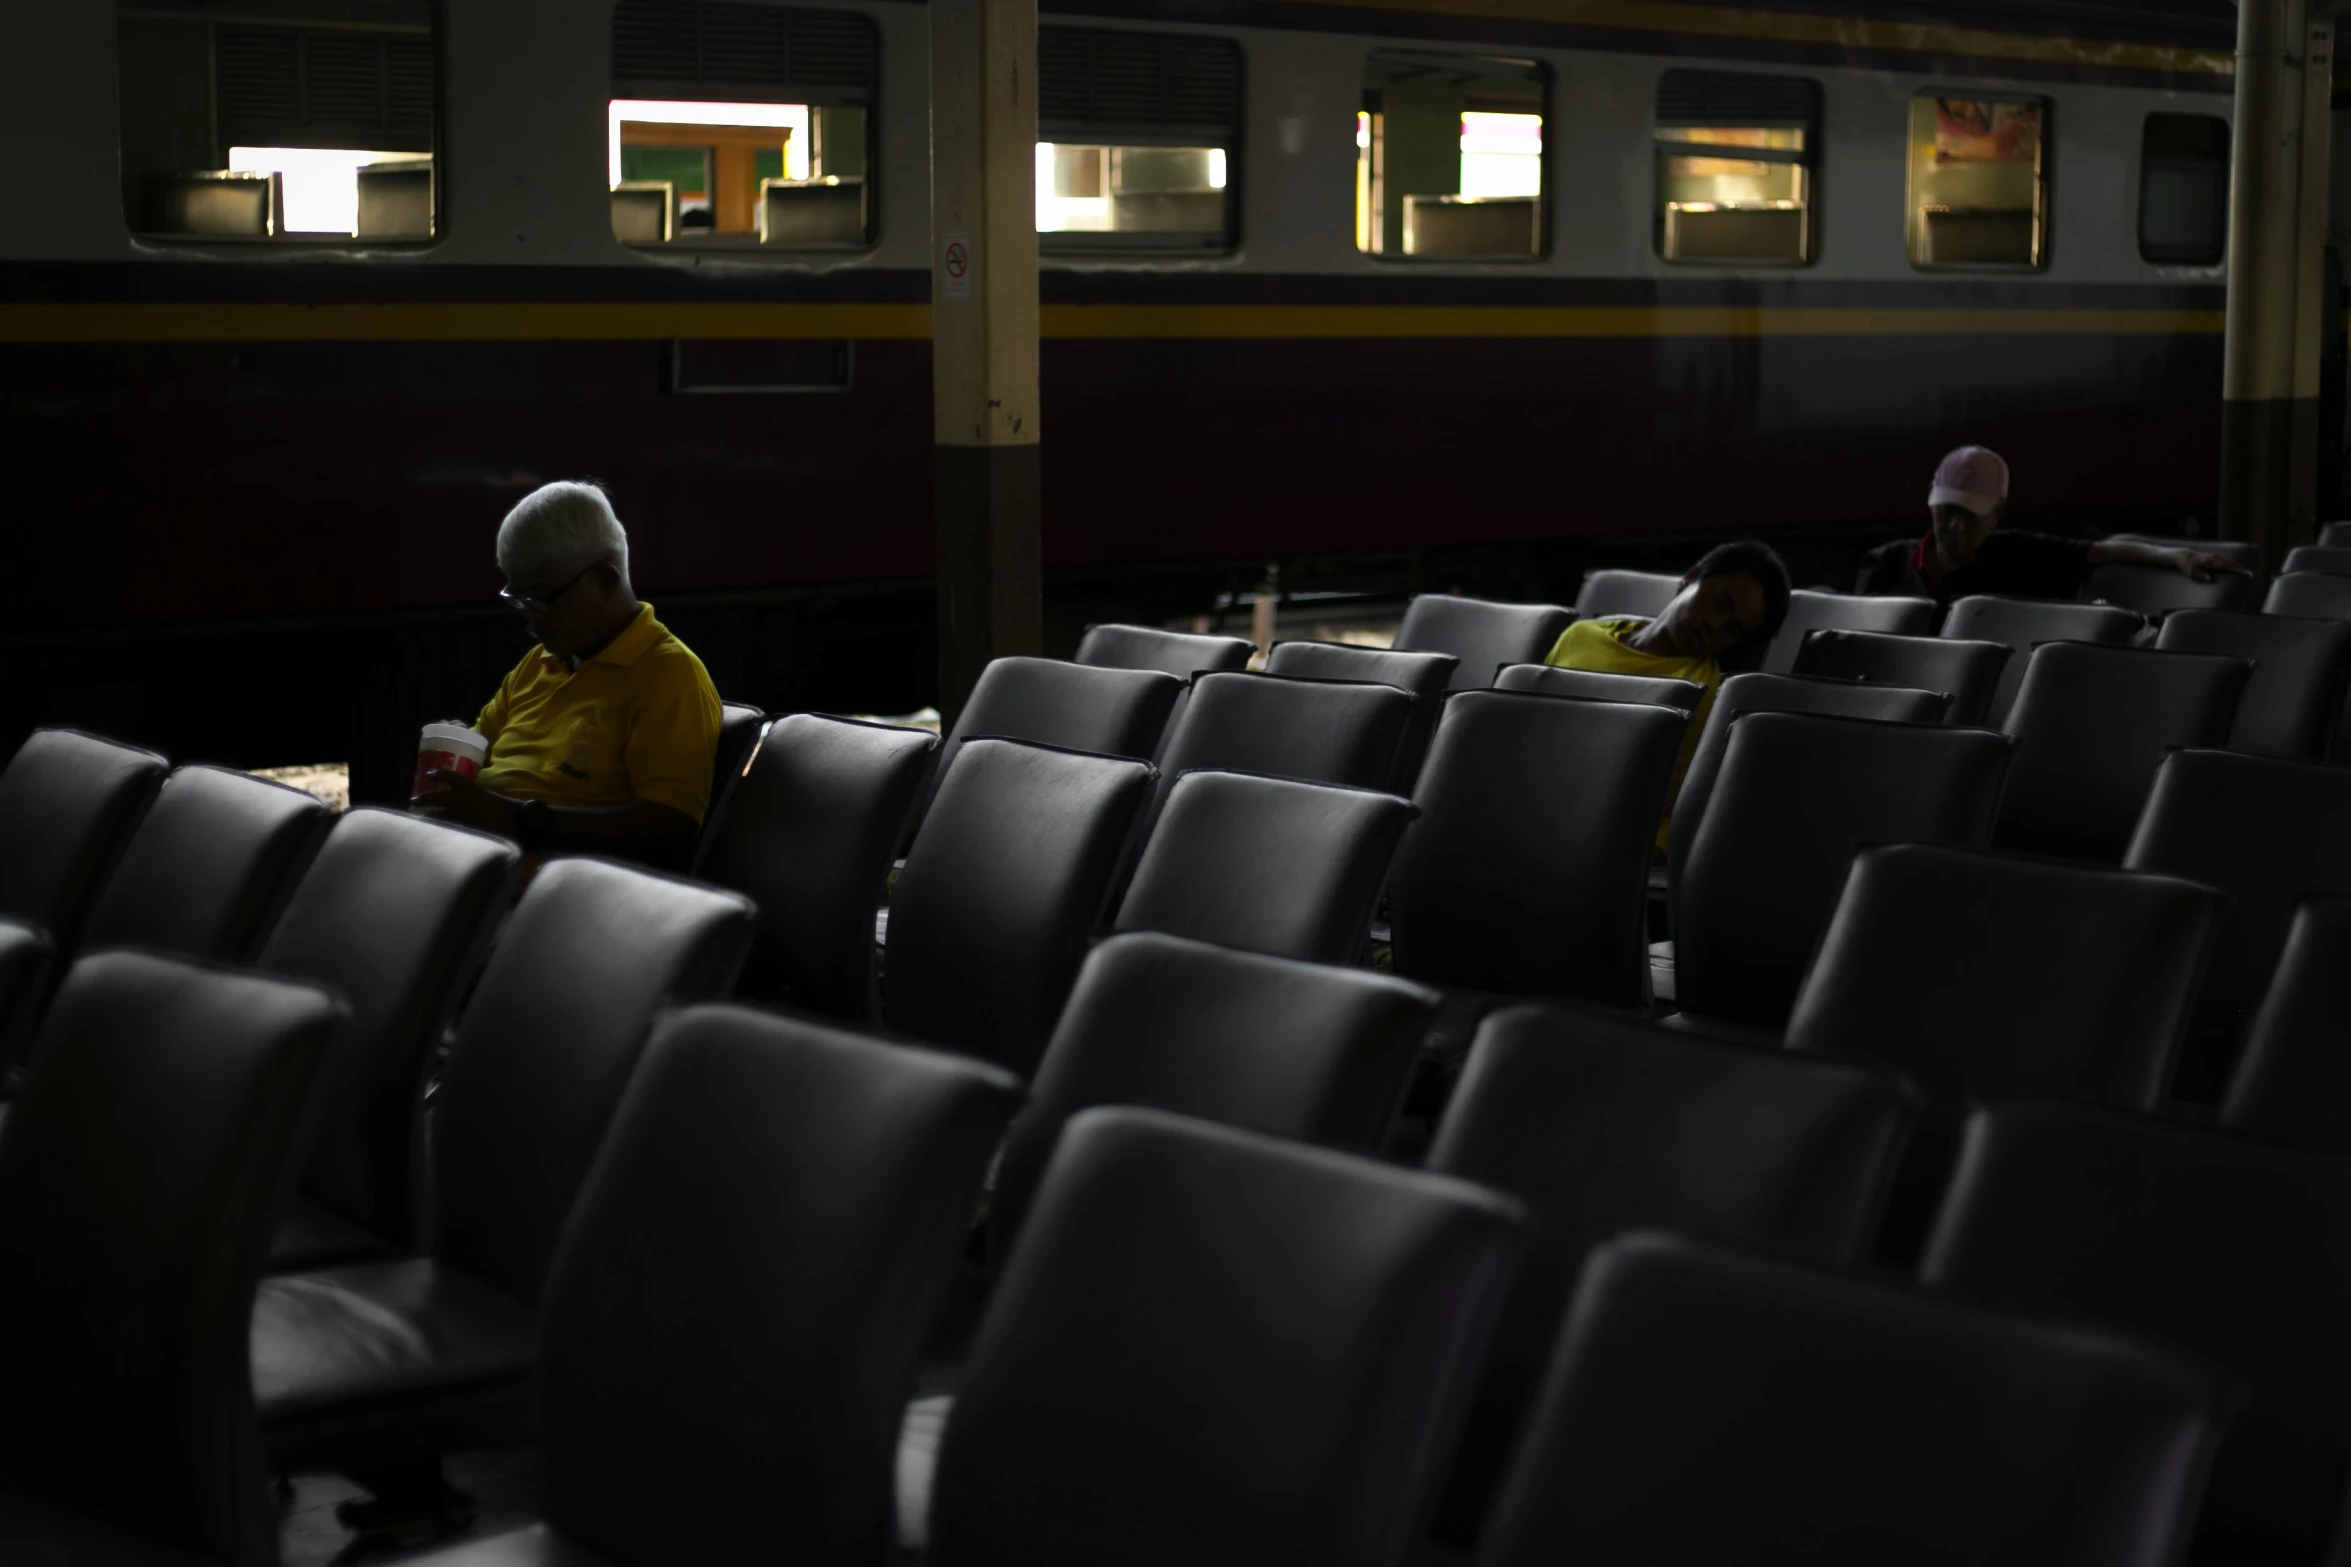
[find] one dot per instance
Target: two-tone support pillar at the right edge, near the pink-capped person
(2277, 271)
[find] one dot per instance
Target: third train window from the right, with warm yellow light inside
(1736, 168)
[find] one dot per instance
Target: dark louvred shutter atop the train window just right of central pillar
(1118, 83)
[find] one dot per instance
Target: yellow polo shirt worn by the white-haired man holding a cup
(641, 720)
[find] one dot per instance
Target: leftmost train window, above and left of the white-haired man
(297, 121)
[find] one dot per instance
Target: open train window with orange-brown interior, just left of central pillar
(742, 126)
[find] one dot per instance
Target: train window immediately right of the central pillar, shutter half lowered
(1137, 137)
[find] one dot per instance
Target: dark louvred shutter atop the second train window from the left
(723, 51)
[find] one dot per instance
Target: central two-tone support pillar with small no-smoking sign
(984, 337)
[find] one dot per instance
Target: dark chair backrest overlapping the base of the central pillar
(1078, 708)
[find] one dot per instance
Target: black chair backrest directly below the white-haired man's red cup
(396, 917)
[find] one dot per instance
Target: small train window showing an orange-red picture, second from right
(1978, 182)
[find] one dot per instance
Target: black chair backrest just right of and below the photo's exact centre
(1266, 866)
